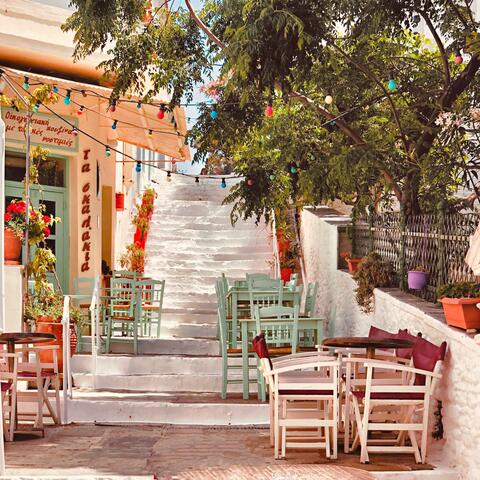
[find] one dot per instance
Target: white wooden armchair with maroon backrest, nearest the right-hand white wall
(410, 398)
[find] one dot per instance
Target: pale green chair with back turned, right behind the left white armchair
(279, 325)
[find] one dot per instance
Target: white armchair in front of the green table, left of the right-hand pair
(303, 395)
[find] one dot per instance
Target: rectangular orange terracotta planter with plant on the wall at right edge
(459, 301)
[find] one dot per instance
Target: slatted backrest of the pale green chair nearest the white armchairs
(278, 324)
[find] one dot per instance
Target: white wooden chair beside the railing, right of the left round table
(42, 374)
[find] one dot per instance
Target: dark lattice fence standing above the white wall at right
(437, 242)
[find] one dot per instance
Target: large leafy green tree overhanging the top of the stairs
(411, 139)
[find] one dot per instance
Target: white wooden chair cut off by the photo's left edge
(8, 383)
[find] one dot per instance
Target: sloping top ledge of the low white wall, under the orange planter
(431, 314)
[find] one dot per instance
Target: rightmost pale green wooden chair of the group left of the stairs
(152, 293)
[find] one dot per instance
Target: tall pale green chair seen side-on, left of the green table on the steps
(227, 352)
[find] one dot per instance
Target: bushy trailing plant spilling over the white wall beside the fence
(373, 272)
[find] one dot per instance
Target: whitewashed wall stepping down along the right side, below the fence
(459, 389)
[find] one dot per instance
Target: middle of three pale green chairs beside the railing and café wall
(125, 311)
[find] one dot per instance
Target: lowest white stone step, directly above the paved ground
(180, 409)
